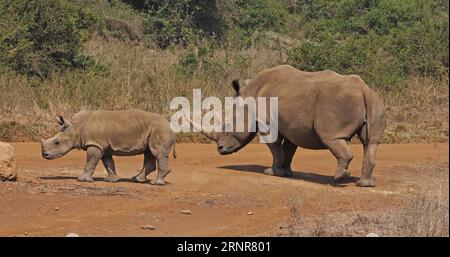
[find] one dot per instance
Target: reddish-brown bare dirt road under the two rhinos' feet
(227, 195)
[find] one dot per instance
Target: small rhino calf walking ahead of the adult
(103, 134)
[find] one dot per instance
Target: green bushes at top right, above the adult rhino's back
(385, 41)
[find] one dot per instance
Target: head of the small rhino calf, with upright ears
(61, 143)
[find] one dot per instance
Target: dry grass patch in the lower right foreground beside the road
(425, 213)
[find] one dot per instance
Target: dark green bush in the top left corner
(40, 37)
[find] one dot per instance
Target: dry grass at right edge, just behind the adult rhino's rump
(418, 113)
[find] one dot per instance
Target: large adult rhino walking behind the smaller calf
(316, 110)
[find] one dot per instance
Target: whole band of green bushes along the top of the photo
(385, 41)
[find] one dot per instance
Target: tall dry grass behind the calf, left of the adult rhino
(134, 77)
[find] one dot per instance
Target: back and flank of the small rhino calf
(123, 132)
